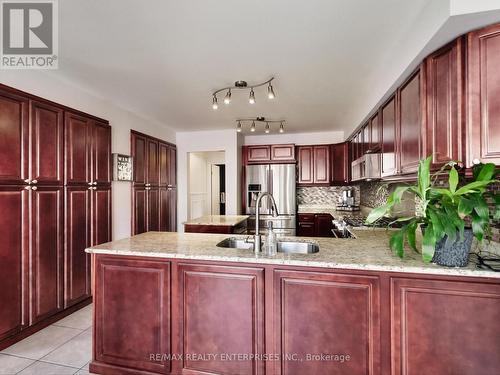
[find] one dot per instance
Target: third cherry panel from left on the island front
(345, 320)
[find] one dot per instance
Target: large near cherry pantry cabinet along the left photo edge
(48, 211)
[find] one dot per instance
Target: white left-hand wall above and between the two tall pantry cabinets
(47, 86)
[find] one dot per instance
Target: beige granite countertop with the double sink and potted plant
(369, 251)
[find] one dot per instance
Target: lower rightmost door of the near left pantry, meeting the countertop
(101, 215)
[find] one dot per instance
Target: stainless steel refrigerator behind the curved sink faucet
(279, 180)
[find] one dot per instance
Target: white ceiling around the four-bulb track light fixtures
(332, 59)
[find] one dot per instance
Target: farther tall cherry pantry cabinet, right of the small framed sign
(154, 198)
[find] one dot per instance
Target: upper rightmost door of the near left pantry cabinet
(101, 154)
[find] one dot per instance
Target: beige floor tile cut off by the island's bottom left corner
(76, 352)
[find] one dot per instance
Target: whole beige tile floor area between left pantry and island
(64, 347)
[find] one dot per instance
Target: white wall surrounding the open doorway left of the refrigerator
(218, 140)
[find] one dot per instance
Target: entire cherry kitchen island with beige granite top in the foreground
(176, 303)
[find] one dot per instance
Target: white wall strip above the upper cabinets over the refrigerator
(296, 138)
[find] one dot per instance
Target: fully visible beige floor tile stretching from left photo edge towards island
(43, 342)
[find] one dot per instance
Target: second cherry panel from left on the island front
(221, 311)
